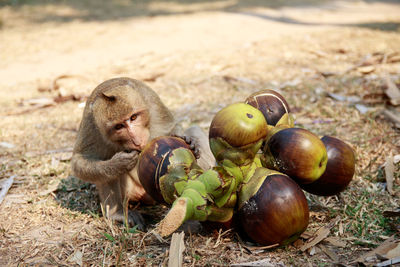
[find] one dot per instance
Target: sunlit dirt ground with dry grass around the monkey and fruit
(332, 60)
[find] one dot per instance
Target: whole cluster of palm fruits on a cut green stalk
(262, 162)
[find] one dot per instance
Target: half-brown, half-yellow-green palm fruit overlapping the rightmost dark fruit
(297, 153)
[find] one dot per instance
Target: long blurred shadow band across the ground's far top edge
(40, 11)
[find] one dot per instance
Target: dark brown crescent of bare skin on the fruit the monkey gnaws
(154, 161)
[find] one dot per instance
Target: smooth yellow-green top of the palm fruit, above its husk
(239, 125)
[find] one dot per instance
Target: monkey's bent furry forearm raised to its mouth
(103, 171)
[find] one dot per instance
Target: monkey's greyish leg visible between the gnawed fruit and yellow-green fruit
(206, 160)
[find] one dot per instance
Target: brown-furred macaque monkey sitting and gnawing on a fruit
(120, 117)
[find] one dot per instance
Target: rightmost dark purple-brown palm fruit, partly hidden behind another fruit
(339, 169)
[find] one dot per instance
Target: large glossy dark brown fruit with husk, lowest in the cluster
(272, 208)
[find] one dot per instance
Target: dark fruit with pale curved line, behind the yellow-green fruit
(272, 104)
